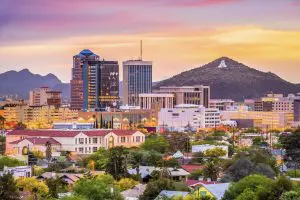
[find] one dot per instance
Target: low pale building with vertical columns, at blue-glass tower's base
(156, 101)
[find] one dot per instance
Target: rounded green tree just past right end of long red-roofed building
(155, 143)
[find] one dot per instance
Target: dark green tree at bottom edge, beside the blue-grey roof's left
(153, 188)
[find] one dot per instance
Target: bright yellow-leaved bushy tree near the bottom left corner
(38, 189)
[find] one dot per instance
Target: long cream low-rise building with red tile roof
(78, 141)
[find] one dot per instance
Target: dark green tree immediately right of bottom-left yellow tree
(55, 186)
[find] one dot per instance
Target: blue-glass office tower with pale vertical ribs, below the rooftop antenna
(137, 79)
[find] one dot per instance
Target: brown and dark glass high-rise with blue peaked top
(95, 82)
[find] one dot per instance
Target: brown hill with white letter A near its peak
(228, 78)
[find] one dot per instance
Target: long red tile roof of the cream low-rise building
(68, 133)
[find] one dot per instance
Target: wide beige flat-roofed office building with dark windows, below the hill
(198, 95)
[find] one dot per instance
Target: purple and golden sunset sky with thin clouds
(178, 35)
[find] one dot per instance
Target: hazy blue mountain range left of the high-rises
(21, 82)
